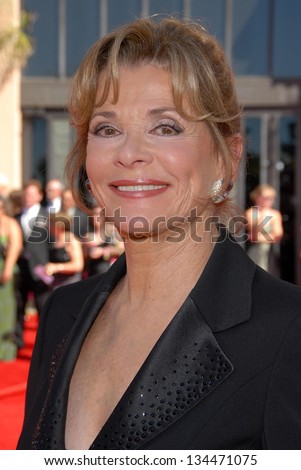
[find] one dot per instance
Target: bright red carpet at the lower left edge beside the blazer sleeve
(13, 377)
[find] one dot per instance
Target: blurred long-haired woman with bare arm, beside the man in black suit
(66, 260)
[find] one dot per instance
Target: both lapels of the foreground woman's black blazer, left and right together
(185, 365)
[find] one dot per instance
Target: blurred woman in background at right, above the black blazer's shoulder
(264, 228)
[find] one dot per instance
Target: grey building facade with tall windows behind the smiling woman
(261, 39)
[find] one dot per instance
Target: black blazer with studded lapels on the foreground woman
(225, 374)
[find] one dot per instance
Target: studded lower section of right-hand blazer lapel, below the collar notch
(185, 366)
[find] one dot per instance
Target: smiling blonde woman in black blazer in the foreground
(183, 343)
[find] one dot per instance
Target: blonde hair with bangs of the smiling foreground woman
(199, 73)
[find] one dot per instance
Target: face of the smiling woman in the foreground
(146, 163)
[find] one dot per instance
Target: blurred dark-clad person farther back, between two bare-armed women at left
(80, 223)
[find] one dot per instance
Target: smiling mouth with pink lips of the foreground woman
(139, 188)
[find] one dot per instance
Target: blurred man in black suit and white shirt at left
(33, 220)
